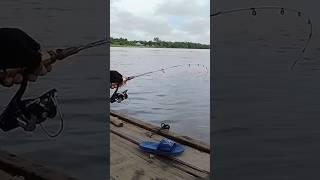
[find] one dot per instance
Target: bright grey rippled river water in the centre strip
(178, 96)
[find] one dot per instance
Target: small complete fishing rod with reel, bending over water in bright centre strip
(119, 97)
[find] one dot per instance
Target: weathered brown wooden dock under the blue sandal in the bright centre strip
(127, 162)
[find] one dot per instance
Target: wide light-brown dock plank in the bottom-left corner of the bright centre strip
(127, 162)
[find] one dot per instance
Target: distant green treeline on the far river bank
(157, 43)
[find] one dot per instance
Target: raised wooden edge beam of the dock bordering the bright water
(171, 135)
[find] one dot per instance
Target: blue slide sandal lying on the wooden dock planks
(165, 147)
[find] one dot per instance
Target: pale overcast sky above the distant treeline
(170, 20)
